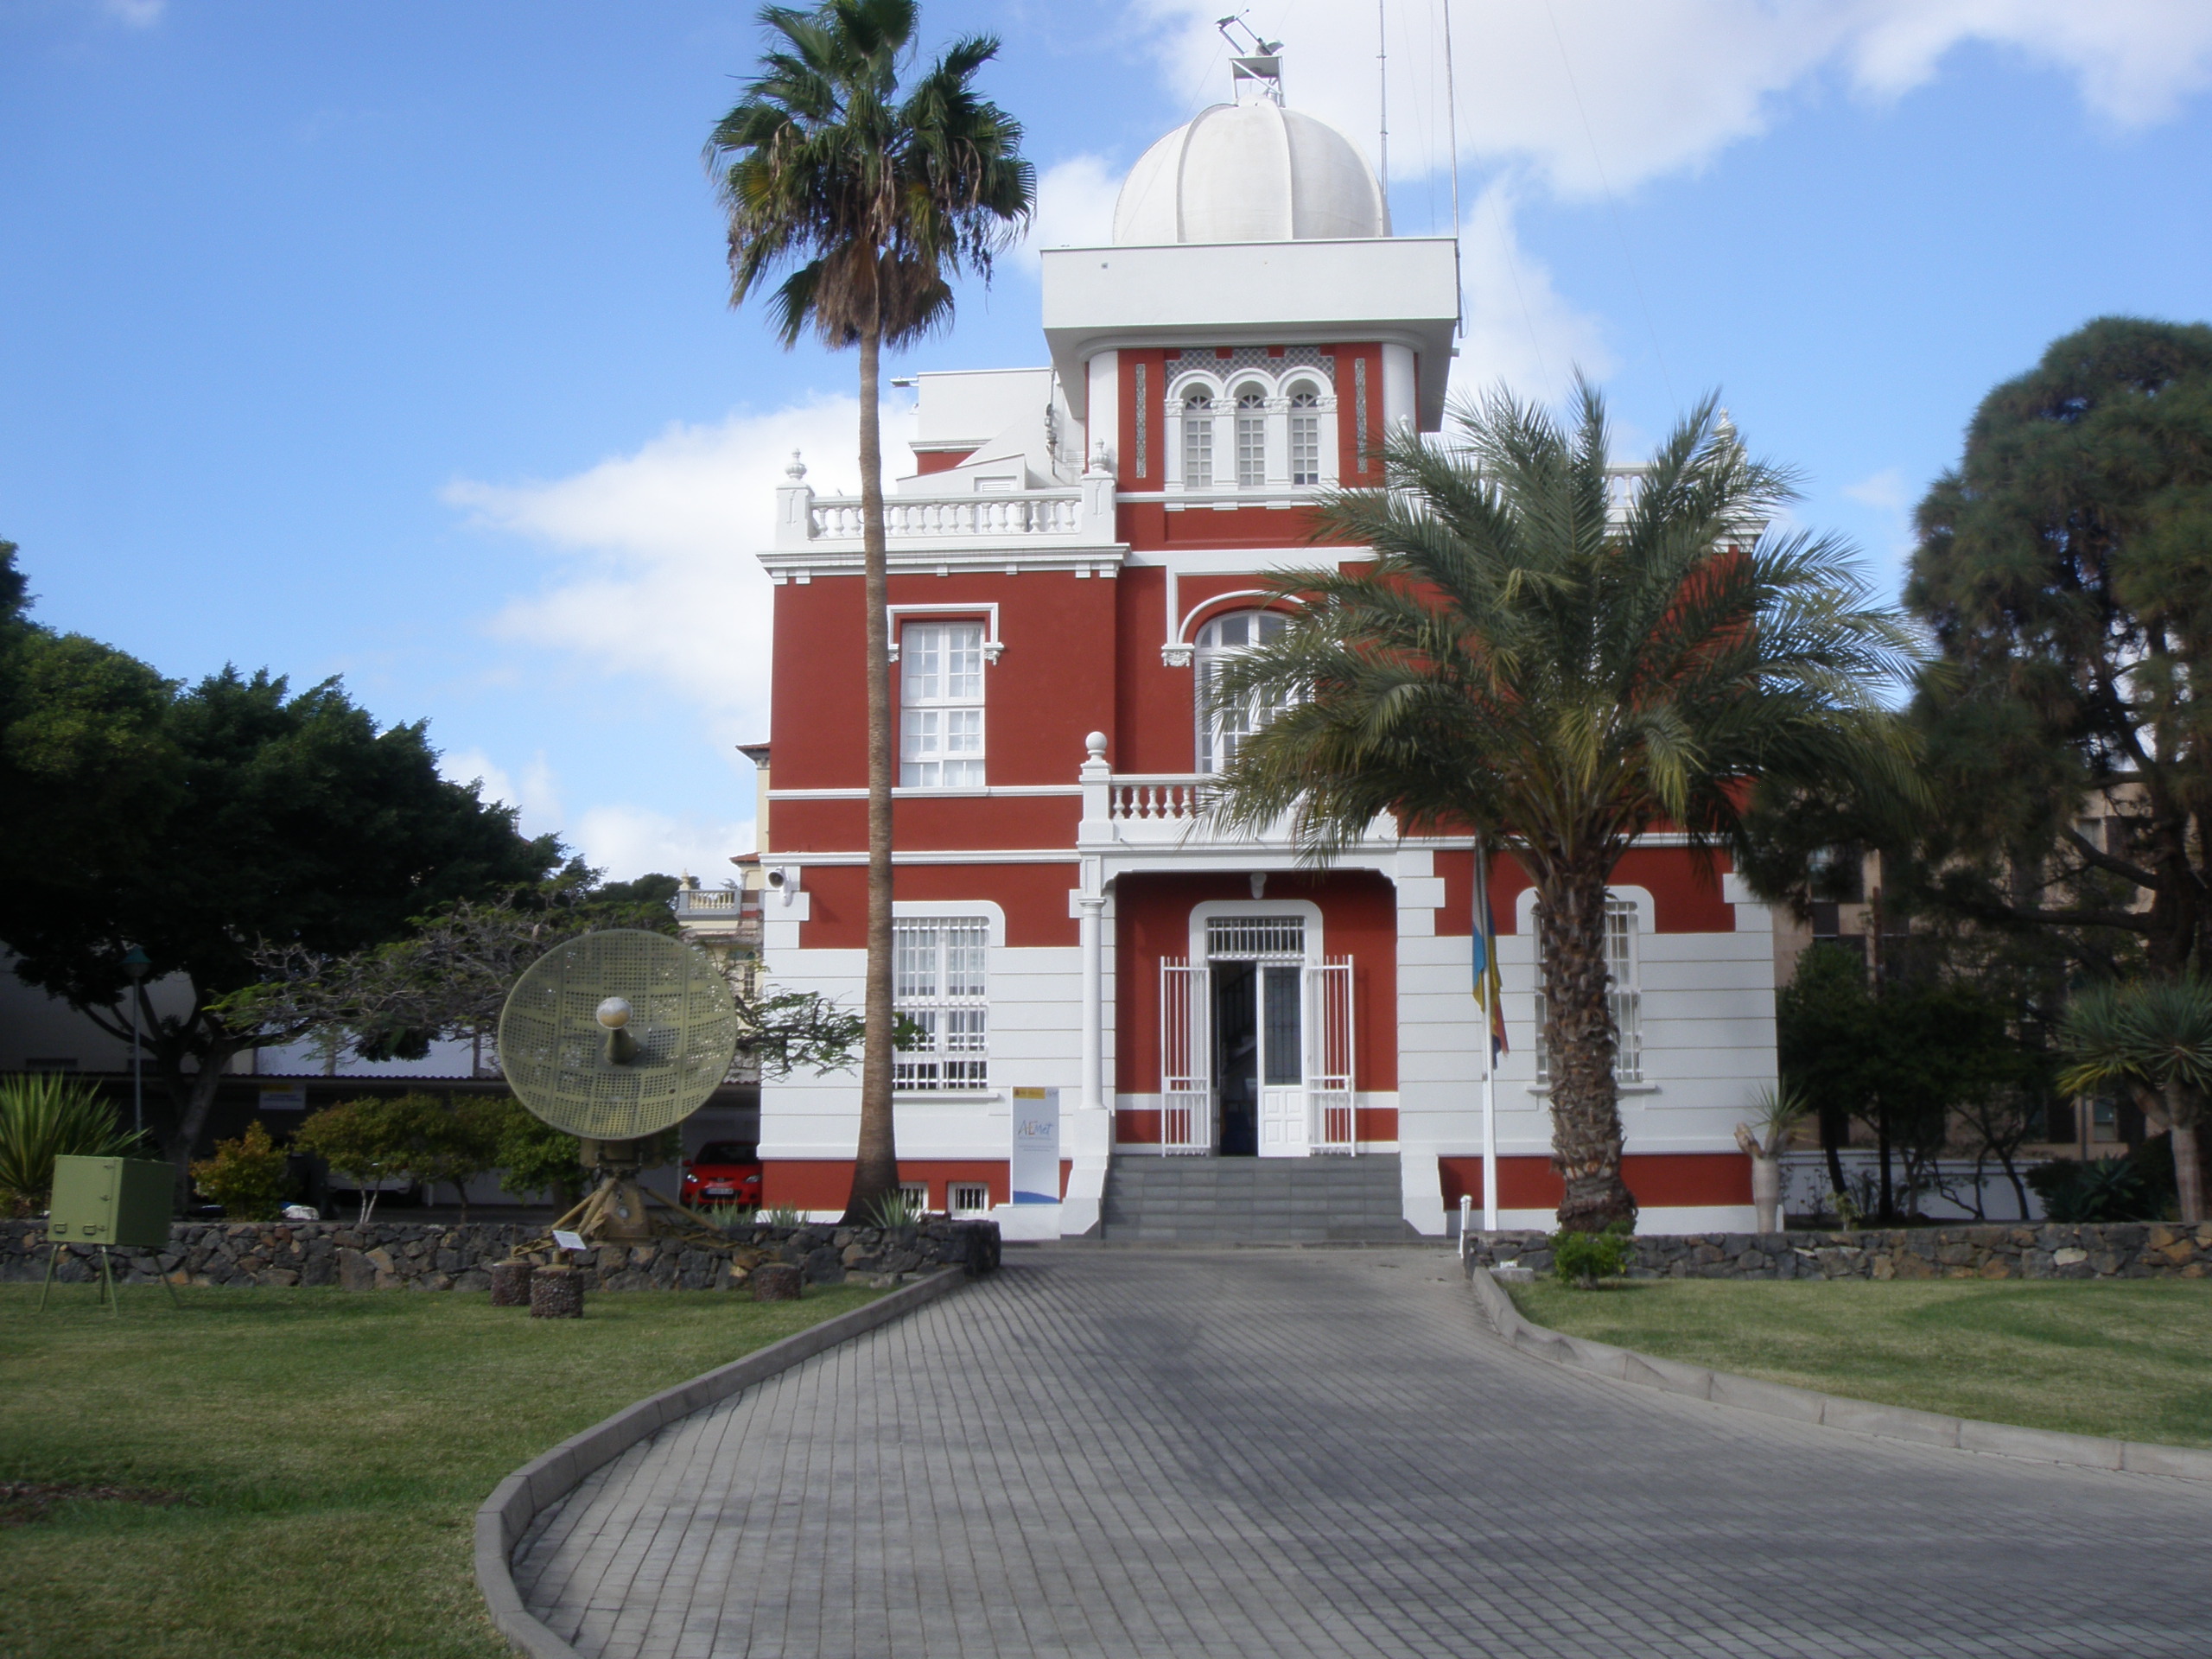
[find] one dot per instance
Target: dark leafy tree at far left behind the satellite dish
(205, 824)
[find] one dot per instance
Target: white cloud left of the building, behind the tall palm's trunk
(658, 547)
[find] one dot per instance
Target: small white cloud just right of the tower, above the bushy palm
(1519, 326)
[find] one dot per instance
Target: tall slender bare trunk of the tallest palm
(875, 1171)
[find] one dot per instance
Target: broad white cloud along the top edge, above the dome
(1596, 94)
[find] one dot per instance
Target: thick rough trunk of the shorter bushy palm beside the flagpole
(1580, 1045)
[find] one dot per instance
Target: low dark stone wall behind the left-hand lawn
(413, 1255)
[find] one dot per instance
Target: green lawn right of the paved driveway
(2129, 1359)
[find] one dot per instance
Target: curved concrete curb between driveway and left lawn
(554, 1474)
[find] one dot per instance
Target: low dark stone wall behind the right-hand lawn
(2027, 1251)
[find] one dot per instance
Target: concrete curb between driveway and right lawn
(1828, 1410)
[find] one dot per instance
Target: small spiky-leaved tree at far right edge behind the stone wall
(2156, 1039)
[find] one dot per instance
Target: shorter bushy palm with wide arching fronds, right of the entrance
(1563, 671)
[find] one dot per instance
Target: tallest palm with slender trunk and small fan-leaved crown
(870, 198)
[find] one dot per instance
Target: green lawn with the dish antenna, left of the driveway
(331, 1450)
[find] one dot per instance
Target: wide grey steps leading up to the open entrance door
(1253, 1200)
